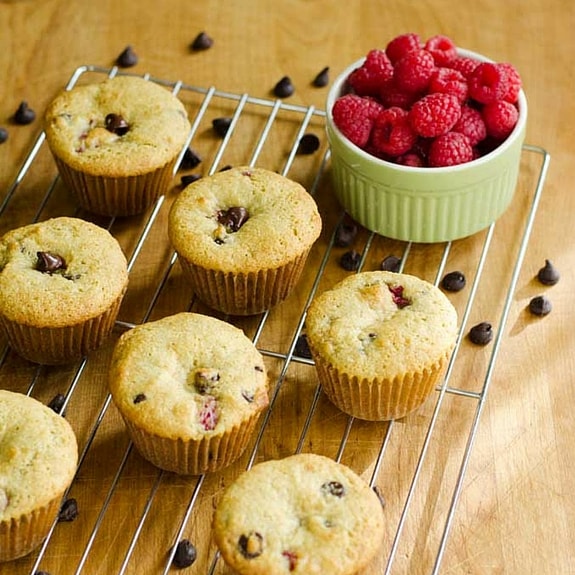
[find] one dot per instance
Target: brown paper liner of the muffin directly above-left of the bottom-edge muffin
(193, 457)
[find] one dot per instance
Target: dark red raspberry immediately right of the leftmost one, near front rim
(392, 133)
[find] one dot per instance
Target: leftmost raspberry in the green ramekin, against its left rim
(354, 117)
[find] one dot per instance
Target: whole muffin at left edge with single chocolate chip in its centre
(61, 285)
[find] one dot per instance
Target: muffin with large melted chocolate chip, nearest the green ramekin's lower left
(242, 237)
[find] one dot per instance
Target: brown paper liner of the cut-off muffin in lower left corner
(20, 536)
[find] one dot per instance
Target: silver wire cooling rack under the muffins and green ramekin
(131, 515)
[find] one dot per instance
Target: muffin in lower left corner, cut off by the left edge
(38, 459)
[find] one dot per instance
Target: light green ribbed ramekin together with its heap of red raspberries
(426, 139)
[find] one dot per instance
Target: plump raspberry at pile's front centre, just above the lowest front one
(435, 114)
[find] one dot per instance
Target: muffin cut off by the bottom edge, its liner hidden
(303, 514)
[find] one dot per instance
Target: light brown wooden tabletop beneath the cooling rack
(516, 510)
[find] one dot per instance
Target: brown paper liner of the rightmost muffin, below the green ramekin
(379, 399)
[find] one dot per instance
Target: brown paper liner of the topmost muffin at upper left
(124, 196)
